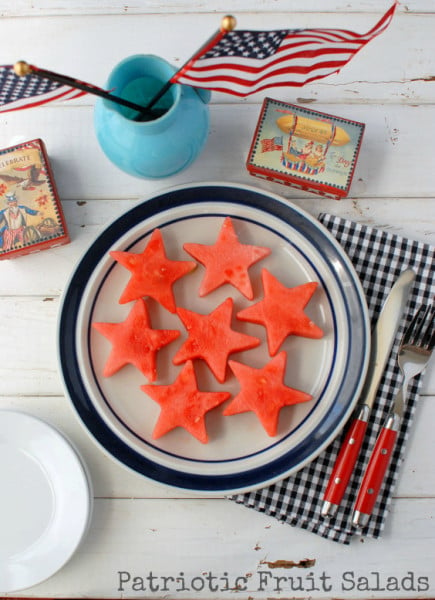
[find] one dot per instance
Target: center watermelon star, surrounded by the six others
(211, 338)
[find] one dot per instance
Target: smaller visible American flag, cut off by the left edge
(23, 92)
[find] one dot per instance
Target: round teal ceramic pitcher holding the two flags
(166, 143)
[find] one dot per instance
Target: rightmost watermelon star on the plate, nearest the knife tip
(281, 311)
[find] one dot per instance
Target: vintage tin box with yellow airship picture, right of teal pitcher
(305, 149)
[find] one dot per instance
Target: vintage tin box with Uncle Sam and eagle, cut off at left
(31, 216)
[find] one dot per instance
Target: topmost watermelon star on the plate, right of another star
(227, 261)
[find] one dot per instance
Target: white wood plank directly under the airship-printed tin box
(392, 162)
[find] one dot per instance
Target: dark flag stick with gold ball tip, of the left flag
(22, 69)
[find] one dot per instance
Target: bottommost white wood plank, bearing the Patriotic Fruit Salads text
(222, 550)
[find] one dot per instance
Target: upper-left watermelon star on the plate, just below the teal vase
(153, 273)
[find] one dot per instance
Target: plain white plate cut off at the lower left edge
(45, 502)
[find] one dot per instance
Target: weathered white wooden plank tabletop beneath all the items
(139, 529)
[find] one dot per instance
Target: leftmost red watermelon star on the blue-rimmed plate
(135, 342)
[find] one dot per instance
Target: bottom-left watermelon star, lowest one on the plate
(183, 405)
